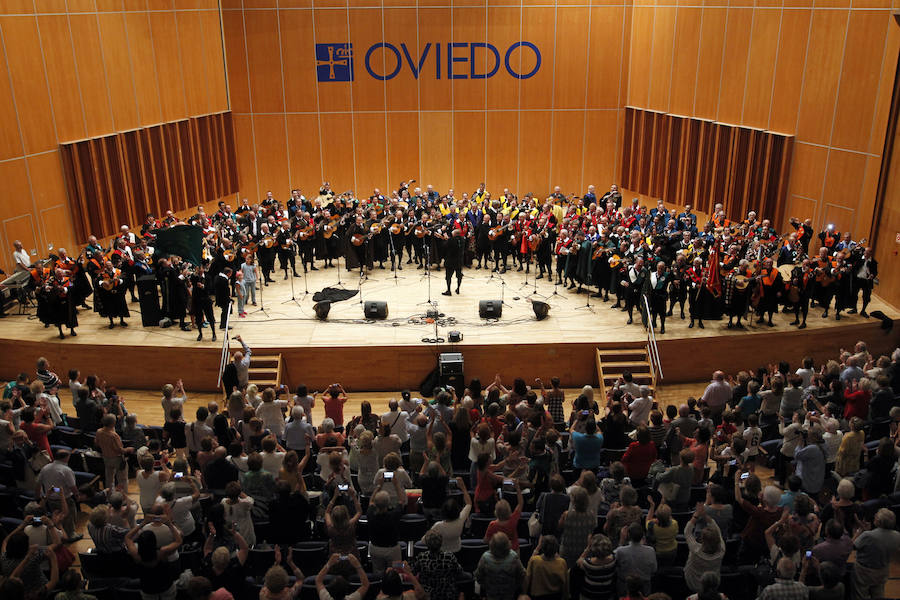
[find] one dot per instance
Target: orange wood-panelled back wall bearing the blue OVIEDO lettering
(406, 114)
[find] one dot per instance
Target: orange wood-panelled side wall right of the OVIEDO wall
(820, 71)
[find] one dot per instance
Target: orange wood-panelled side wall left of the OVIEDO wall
(73, 69)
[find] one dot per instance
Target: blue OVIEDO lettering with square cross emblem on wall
(384, 61)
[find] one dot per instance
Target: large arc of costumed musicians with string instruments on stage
(651, 259)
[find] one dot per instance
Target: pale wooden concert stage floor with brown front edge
(390, 354)
